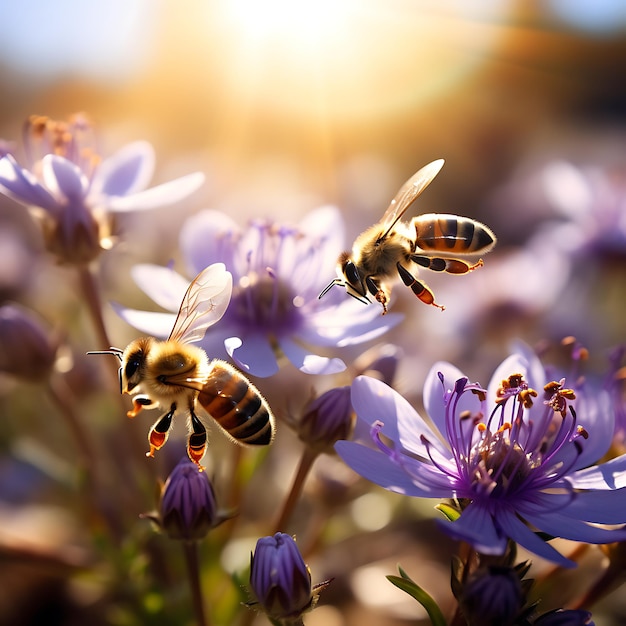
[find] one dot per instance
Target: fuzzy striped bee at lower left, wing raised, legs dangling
(177, 377)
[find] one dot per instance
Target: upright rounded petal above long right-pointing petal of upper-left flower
(128, 171)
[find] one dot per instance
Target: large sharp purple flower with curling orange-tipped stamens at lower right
(517, 460)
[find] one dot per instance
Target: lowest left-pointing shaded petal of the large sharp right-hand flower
(378, 468)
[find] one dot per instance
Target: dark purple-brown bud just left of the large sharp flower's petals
(327, 419)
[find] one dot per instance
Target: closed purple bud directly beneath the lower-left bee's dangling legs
(187, 507)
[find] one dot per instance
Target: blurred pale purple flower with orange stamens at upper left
(74, 194)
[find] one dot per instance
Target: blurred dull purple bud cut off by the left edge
(27, 349)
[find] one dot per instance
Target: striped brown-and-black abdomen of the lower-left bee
(236, 405)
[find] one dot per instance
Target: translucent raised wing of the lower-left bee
(204, 303)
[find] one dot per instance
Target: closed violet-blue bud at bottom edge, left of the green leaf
(279, 578)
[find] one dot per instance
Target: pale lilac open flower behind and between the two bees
(278, 272)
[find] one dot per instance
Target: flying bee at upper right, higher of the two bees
(392, 248)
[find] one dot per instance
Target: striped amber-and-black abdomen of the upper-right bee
(451, 234)
